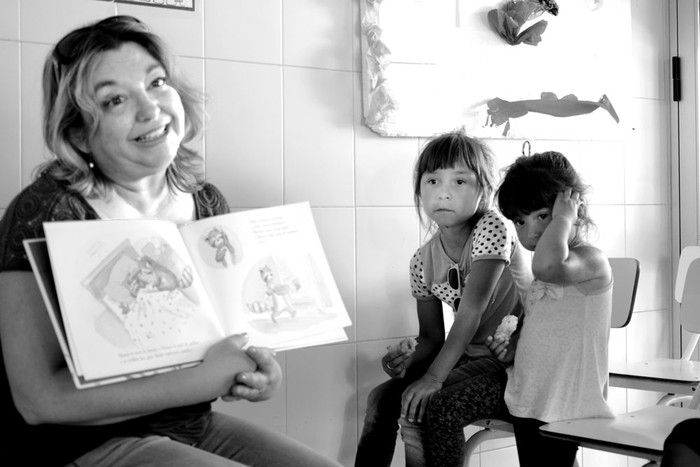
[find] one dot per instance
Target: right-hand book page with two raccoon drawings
(267, 275)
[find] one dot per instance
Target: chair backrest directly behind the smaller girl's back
(626, 276)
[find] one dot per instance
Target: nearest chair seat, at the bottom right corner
(637, 434)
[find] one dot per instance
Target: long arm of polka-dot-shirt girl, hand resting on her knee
(477, 292)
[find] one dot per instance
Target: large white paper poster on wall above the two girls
(430, 67)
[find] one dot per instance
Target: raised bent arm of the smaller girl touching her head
(554, 262)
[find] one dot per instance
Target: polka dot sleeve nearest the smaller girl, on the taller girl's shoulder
(493, 238)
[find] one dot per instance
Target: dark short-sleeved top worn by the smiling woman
(49, 200)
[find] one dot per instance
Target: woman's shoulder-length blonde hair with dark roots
(71, 112)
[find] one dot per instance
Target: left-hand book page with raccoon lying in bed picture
(130, 297)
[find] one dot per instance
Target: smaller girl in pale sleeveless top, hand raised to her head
(560, 369)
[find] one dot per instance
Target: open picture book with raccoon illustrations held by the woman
(129, 298)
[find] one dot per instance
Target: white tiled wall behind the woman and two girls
(285, 125)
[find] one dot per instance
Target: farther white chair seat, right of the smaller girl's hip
(672, 375)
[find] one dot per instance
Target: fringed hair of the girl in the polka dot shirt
(449, 149)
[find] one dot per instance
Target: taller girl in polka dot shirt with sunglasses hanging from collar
(472, 263)
